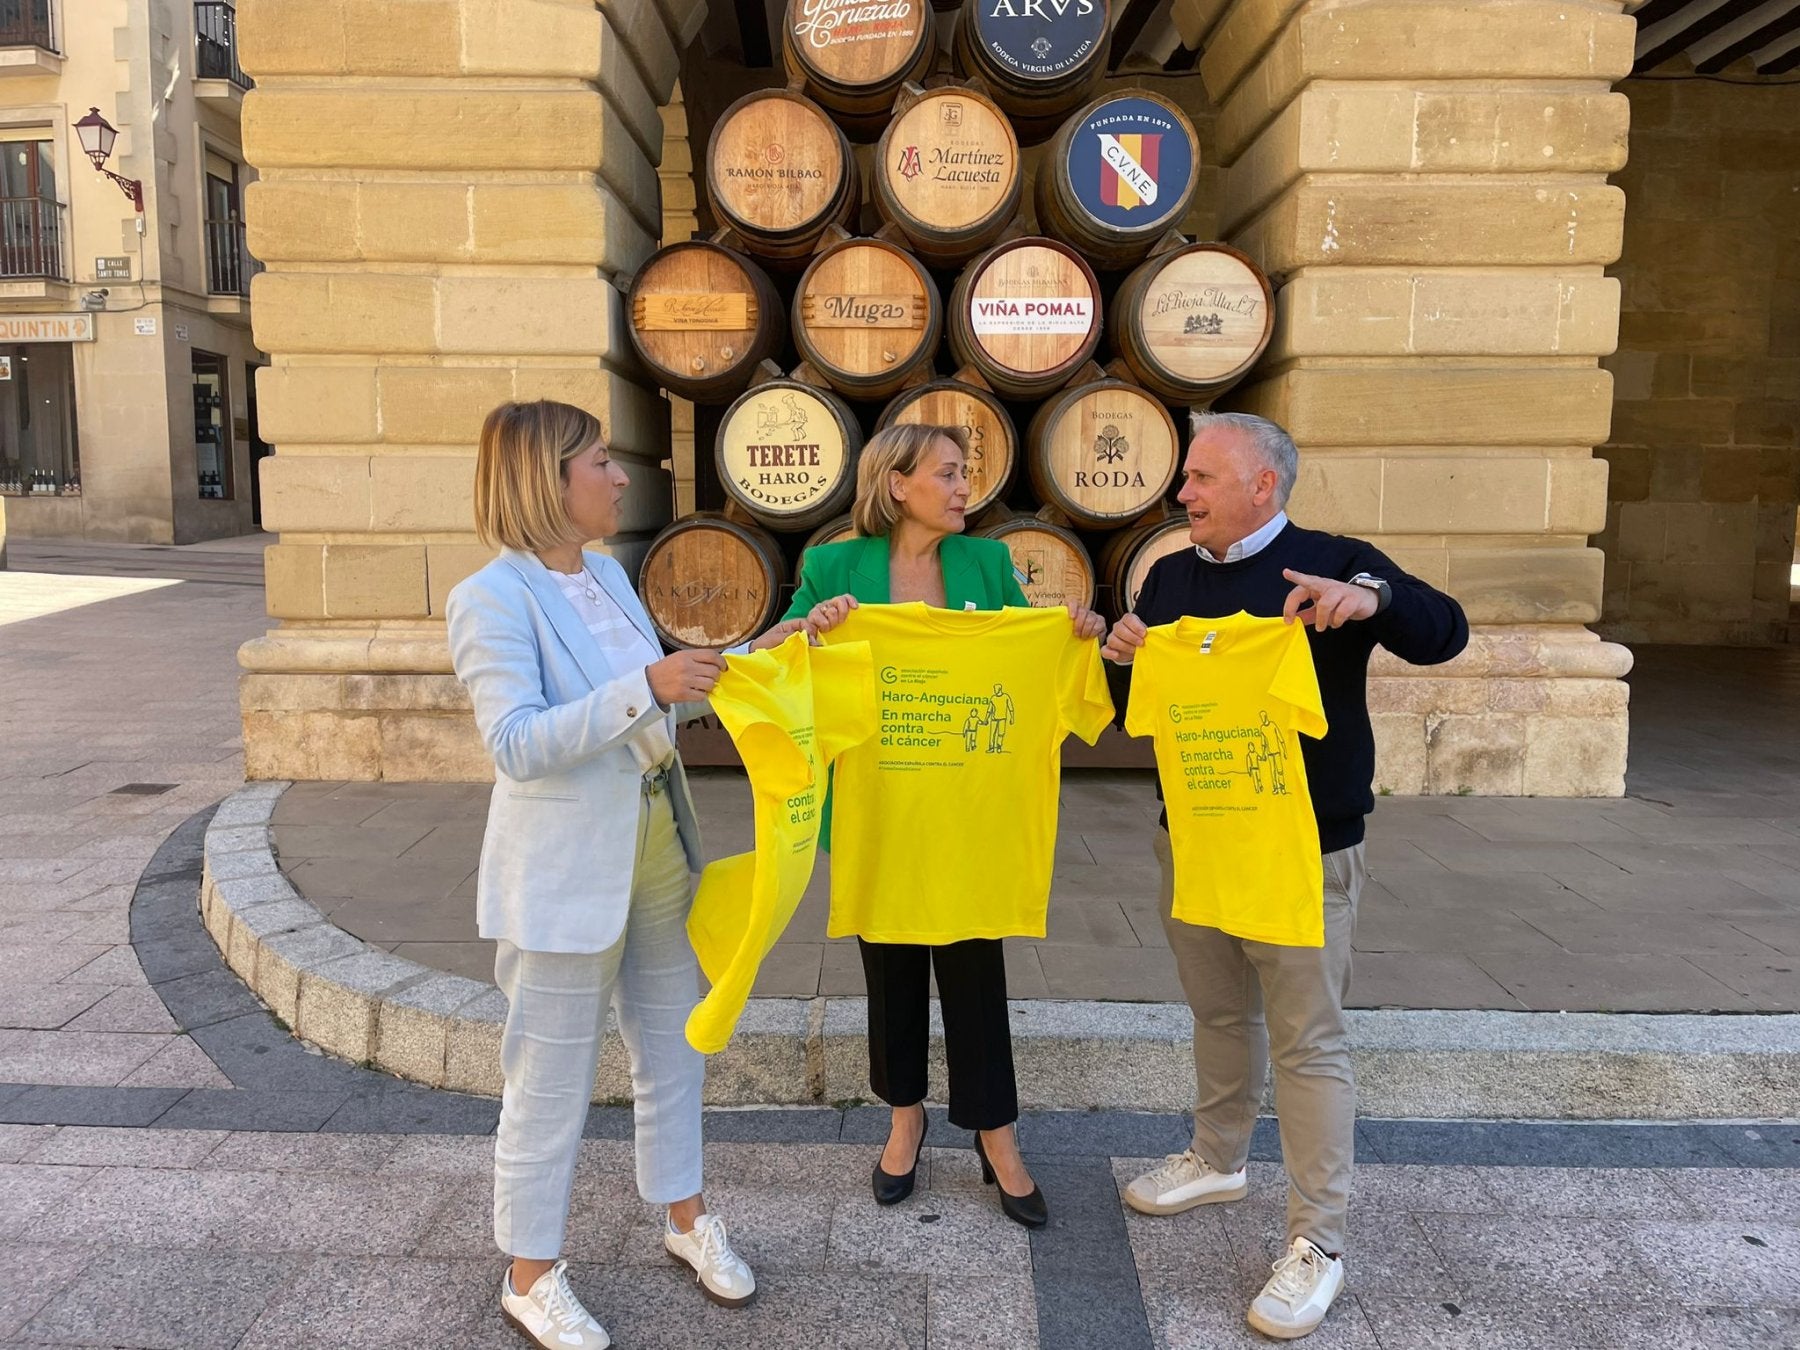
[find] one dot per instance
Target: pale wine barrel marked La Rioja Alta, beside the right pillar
(1192, 323)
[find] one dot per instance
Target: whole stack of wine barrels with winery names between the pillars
(1066, 328)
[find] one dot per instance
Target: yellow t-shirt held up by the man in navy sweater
(1228, 703)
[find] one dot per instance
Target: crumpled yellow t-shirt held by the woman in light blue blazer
(791, 712)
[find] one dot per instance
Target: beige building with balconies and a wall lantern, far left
(127, 363)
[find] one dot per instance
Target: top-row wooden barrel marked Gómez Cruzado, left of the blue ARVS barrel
(852, 57)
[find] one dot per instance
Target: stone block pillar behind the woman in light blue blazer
(447, 192)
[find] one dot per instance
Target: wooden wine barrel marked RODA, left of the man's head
(1102, 453)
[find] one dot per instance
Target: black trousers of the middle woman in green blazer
(976, 1036)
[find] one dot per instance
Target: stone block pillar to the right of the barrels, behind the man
(1426, 186)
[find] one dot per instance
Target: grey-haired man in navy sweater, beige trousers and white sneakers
(1259, 1002)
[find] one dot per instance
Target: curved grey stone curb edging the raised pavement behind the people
(417, 1023)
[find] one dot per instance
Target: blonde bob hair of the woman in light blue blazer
(519, 472)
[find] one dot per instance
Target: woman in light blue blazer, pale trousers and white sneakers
(586, 865)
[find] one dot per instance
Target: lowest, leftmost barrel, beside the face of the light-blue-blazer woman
(712, 582)
